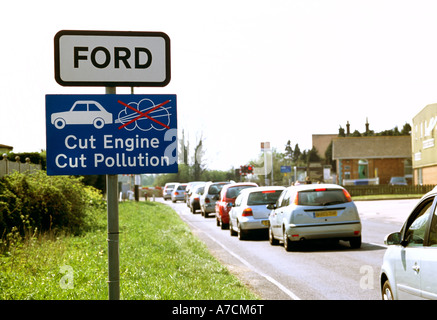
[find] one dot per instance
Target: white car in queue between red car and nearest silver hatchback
(249, 212)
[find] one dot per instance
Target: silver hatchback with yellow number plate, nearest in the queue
(314, 211)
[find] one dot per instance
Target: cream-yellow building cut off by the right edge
(423, 146)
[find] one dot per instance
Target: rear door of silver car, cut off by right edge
(428, 265)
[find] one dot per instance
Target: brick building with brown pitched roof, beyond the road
(372, 157)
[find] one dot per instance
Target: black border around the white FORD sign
(113, 83)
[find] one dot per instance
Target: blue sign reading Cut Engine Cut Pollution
(111, 134)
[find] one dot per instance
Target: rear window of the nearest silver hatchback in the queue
(322, 197)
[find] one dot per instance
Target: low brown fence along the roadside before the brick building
(387, 189)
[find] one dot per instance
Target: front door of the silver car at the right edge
(408, 263)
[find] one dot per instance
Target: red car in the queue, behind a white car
(227, 195)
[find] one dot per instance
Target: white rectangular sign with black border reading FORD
(112, 58)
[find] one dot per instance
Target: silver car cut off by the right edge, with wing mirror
(410, 262)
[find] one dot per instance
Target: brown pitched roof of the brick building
(375, 147)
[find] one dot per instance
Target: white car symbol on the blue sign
(82, 112)
